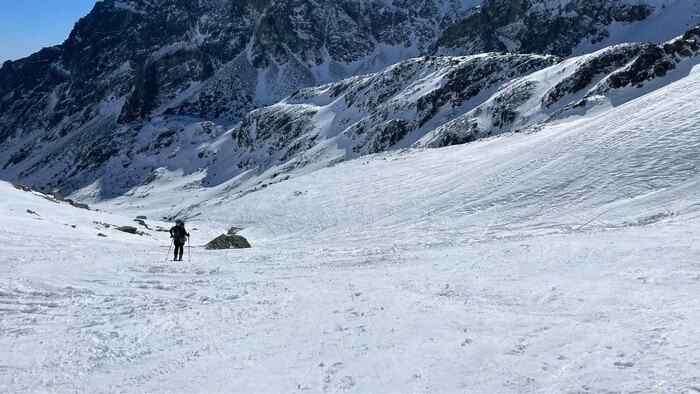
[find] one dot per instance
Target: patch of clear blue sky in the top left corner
(26, 26)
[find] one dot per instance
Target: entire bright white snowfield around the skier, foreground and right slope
(560, 260)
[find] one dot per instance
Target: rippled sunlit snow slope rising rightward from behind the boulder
(618, 169)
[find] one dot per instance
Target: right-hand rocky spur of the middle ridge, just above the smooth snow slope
(609, 77)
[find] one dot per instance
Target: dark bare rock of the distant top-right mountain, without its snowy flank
(538, 26)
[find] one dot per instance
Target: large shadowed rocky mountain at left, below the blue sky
(132, 66)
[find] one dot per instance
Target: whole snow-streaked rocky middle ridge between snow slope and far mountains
(441, 101)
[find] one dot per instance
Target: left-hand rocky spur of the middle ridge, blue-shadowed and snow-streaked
(368, 114)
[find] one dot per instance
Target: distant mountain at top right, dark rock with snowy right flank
(565, 27)
